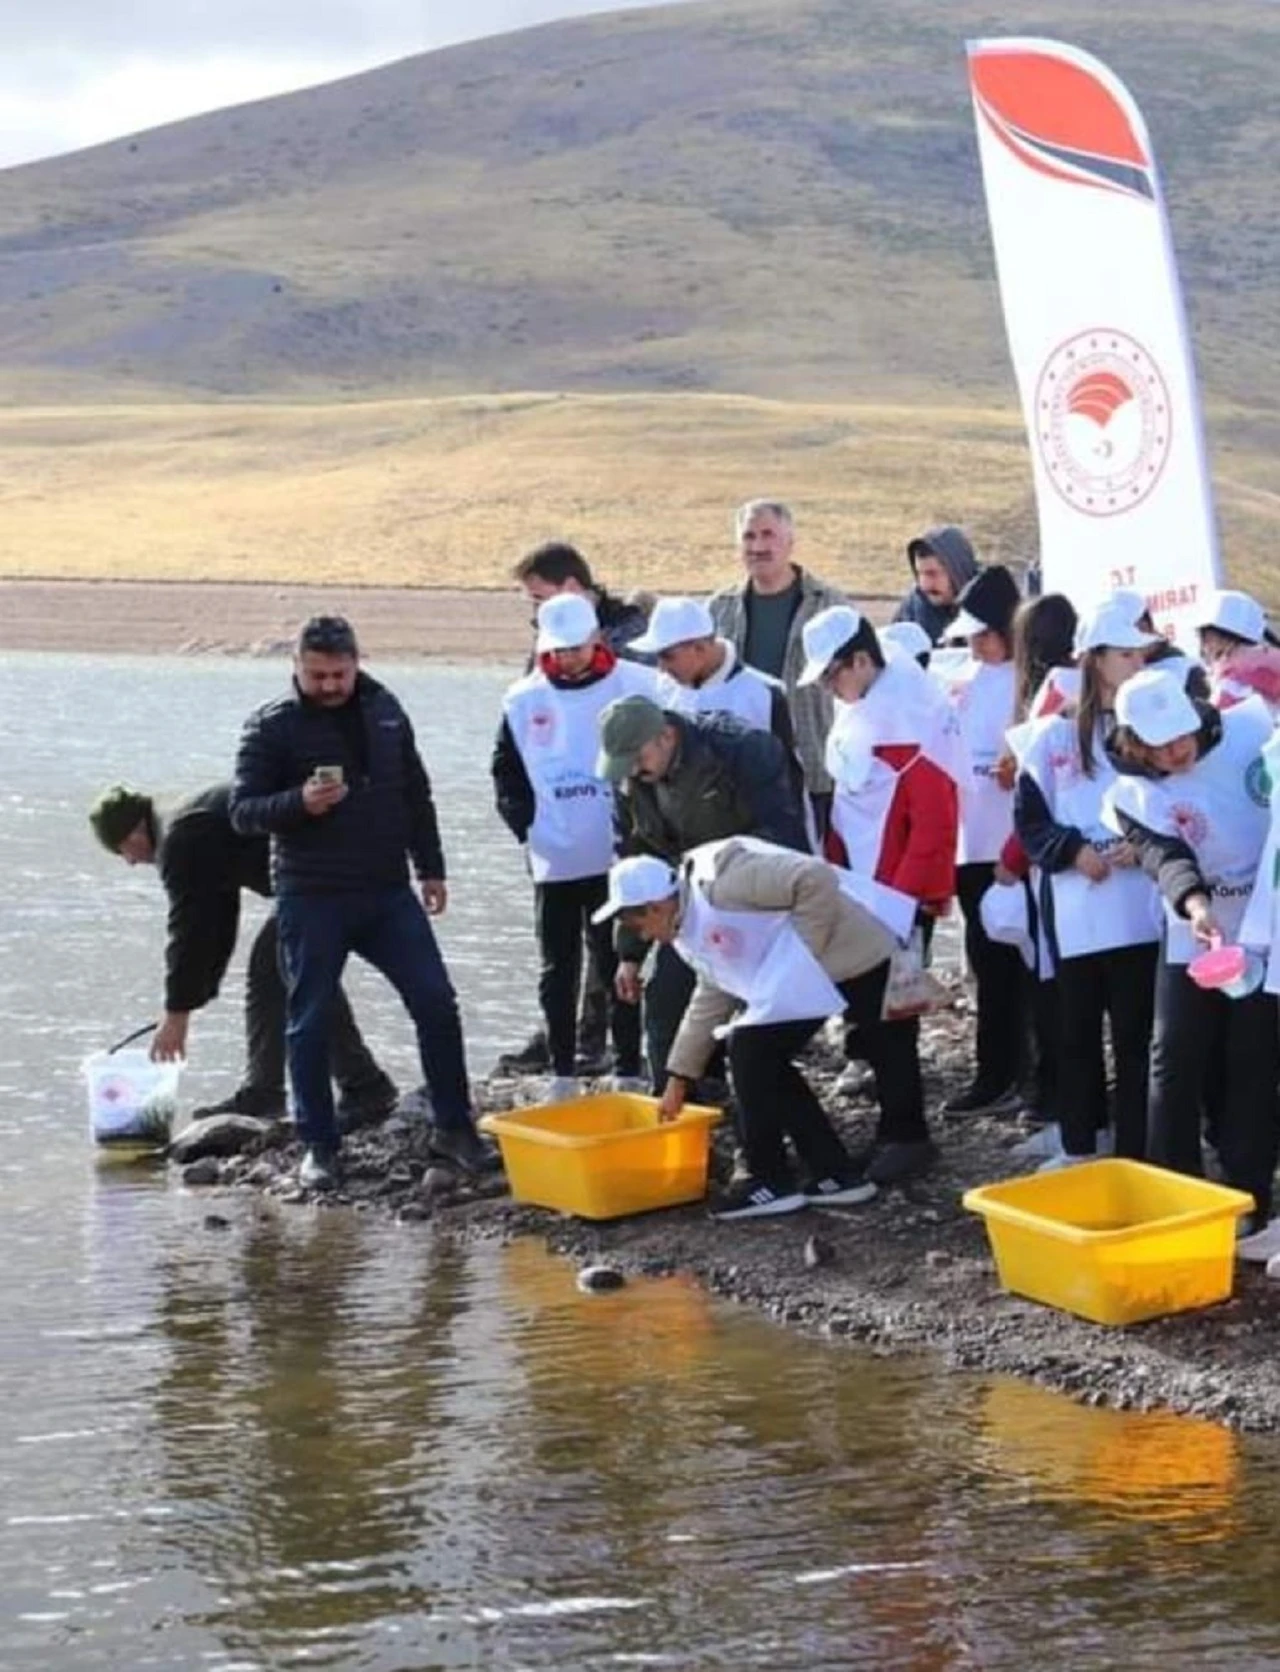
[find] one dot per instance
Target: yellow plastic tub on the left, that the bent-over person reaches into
(606, 1156)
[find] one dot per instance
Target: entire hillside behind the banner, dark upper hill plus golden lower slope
(731, 248)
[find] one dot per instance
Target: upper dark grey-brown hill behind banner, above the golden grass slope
(776, 198)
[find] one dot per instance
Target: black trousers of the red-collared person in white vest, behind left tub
(564, 919)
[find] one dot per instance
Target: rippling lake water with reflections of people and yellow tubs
(312, 1439)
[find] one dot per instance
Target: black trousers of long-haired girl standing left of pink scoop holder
(1119, 984)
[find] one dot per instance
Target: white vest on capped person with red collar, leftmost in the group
(556, 730)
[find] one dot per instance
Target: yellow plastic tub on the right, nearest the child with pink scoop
(1114, 1241)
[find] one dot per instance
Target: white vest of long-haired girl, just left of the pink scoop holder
(1089, 917)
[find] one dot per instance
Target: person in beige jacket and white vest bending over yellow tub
(776, 949)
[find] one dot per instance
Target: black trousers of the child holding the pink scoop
(1191, 1027)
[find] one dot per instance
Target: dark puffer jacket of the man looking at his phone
(387, 813)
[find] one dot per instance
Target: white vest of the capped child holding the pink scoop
(1219, 810)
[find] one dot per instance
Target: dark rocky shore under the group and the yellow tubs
(908, 1273)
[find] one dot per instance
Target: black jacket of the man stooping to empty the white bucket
(205, 865)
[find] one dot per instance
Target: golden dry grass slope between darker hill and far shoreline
(449, 492)
